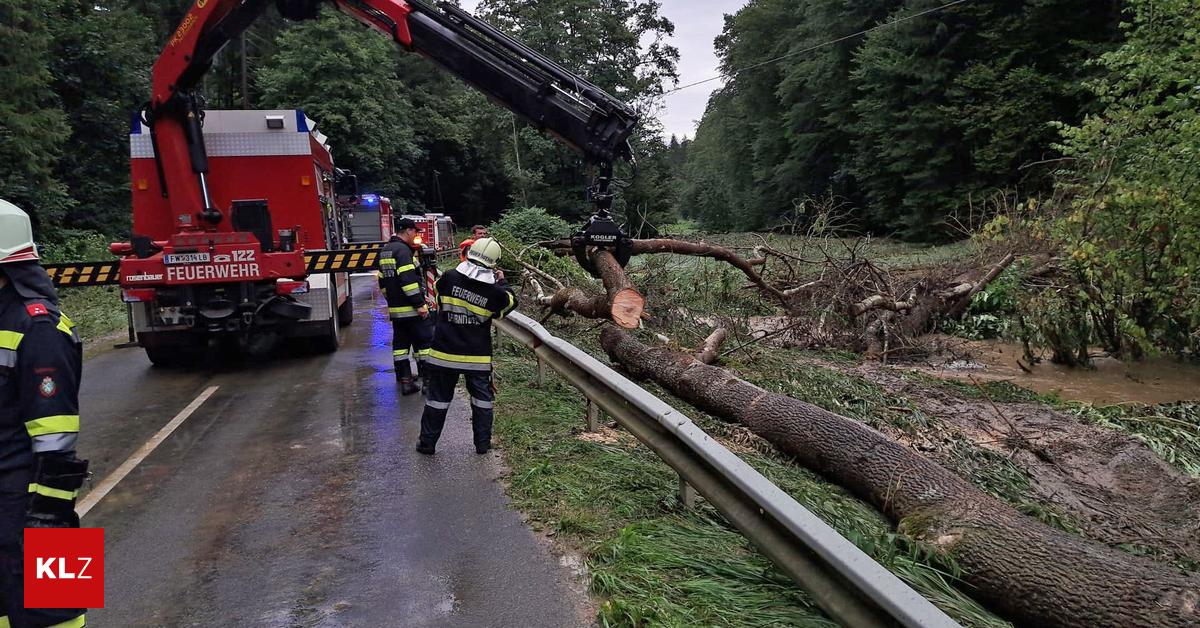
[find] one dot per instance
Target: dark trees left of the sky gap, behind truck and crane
(76, 71)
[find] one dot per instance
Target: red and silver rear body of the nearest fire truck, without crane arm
(248, 282)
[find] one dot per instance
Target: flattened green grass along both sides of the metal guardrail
(653, 563)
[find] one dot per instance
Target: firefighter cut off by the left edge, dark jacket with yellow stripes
(41, 361)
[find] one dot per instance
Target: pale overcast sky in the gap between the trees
(698, 23)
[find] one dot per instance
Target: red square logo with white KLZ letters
(64, 569)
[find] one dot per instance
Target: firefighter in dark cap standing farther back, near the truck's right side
(404, 286)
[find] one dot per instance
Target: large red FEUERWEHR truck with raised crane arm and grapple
(237, 234)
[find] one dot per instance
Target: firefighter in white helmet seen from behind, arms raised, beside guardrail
(470, 297)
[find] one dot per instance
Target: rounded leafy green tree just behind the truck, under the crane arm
(345, 79)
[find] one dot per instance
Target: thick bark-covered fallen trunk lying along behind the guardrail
(1021, 567)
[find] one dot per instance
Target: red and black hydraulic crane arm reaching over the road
(542, 92)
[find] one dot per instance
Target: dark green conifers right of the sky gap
(909, 123)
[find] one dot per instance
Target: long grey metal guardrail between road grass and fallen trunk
(845, 583)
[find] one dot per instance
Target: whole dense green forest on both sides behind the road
(1064, 127)
